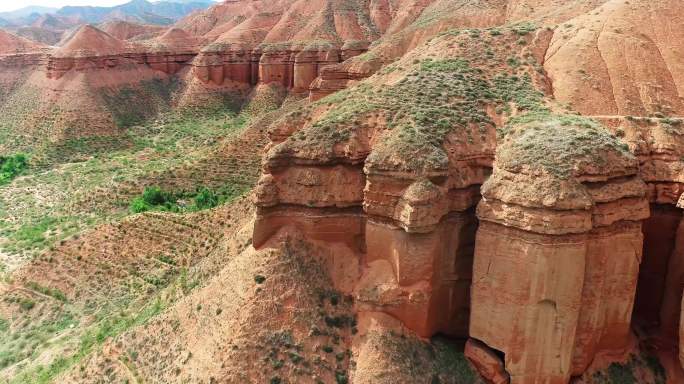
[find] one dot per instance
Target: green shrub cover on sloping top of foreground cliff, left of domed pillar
(435, 98)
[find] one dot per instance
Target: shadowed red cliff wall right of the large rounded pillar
(657, 143)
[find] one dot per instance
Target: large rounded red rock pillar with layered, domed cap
(557, 253)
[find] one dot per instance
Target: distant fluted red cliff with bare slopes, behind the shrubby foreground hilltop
(286, 42)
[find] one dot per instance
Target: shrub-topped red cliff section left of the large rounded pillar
(352, 170)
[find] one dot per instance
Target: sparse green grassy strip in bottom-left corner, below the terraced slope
(105, 319)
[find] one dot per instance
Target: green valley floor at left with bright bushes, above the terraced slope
(53, 202)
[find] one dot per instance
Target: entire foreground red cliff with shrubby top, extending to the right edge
(548, 246)
